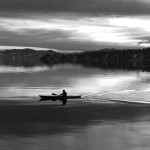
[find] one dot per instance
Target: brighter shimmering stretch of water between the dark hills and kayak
(90, 83)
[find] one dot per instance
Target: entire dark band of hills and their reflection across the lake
(107, 58)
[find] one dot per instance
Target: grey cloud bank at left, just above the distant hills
(56, 39)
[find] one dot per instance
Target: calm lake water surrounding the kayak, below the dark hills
(94, 122)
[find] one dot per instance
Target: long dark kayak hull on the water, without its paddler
(54, 98)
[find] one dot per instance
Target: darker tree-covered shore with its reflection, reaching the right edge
(106, 58)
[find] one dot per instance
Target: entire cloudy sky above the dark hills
(74, 25)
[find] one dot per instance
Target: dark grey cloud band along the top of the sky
(90, 7)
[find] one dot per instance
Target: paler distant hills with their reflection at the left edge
(23, 57)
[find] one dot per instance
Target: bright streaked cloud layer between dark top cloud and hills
(80, 34)
